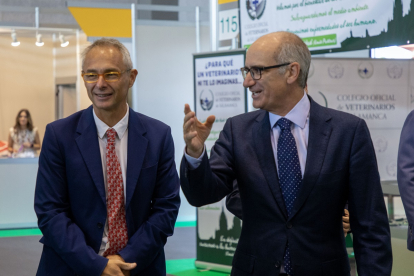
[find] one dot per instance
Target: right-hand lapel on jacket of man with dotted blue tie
(319, 134)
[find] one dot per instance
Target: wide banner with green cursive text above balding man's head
(331, 25)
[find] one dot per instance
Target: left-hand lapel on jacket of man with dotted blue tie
(264, 150)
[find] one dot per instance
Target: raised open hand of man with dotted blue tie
(195, 132)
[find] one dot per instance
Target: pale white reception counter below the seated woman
(17, 185)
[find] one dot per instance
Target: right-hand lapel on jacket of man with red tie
(137, 147)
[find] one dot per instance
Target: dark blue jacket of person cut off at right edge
(405, 174)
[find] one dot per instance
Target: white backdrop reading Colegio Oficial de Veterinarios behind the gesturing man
(378, 91)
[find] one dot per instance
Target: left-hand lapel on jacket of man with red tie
(88, 145)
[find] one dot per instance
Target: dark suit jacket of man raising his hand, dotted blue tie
(340, 166)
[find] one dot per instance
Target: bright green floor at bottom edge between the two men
(185, 267)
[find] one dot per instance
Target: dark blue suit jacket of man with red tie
(70, 200)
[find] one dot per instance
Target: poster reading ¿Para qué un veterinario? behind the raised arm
(219, 91)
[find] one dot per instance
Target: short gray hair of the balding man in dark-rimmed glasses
(291, 50)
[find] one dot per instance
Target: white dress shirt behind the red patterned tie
(121, 150)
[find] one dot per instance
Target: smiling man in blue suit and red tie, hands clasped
(107, 190)
